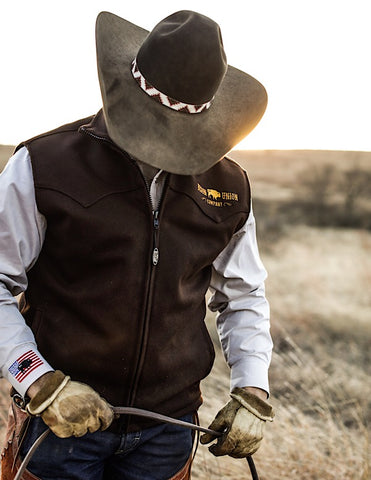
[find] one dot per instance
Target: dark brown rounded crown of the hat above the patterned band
(183, 57)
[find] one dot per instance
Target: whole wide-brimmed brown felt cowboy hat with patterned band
(169, 97)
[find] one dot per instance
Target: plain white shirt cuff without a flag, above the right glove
(250, 372)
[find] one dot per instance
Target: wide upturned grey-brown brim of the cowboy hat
(177, 142)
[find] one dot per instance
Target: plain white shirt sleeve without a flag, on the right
(243, 322)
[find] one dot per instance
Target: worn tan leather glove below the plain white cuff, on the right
(242, 422)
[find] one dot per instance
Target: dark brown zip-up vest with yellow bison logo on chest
(117, 295)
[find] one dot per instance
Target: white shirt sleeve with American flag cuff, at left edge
(22, 232)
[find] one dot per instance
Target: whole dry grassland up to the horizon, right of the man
(319, 289)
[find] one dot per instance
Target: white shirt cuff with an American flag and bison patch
(26, 366)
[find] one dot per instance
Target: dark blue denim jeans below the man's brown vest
(155, 453)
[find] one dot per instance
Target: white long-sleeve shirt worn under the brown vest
(237, 287)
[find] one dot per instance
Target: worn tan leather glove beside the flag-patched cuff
(70, 408)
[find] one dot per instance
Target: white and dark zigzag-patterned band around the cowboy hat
(162, 97)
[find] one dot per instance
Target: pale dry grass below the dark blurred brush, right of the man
(318, 287)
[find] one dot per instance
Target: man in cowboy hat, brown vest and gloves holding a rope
(115, 226)
